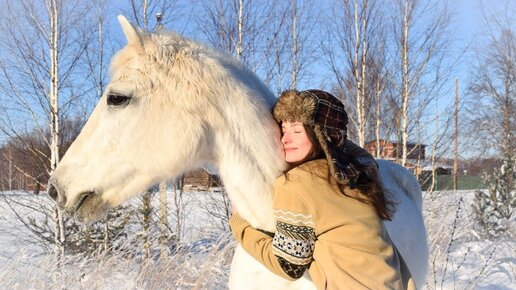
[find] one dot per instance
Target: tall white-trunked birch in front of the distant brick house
(421, 36)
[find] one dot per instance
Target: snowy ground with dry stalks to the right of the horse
(459, 257)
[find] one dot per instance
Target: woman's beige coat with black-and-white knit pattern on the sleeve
(340, 240)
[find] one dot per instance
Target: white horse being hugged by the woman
(174, 105)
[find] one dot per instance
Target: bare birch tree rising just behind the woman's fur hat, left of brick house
(355, 54)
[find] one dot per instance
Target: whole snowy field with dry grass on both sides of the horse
(459, 259)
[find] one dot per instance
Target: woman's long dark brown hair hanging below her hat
(368, 181)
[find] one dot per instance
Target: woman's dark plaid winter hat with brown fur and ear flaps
(327, 116)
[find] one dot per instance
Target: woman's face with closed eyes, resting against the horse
(295, 141)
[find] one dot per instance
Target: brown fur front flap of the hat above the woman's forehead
(293, 106)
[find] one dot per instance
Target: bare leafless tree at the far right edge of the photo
(492, 107)
